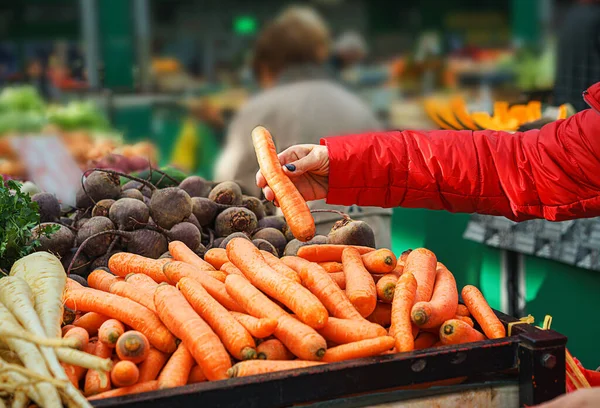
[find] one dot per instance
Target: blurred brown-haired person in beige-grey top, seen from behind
(299, 103)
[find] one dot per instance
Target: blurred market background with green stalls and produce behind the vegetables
(121, 82)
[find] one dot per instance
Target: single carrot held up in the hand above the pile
(292, 204)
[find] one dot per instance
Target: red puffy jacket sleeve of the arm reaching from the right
(552, 173)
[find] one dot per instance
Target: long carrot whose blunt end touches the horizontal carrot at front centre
(299, 338)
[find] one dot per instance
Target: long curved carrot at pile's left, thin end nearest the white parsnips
(127, 311)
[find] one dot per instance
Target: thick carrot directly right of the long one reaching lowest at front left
(234, 336)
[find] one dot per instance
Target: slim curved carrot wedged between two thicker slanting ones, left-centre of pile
(176, 270)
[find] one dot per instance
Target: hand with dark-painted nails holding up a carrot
(307, 166)
